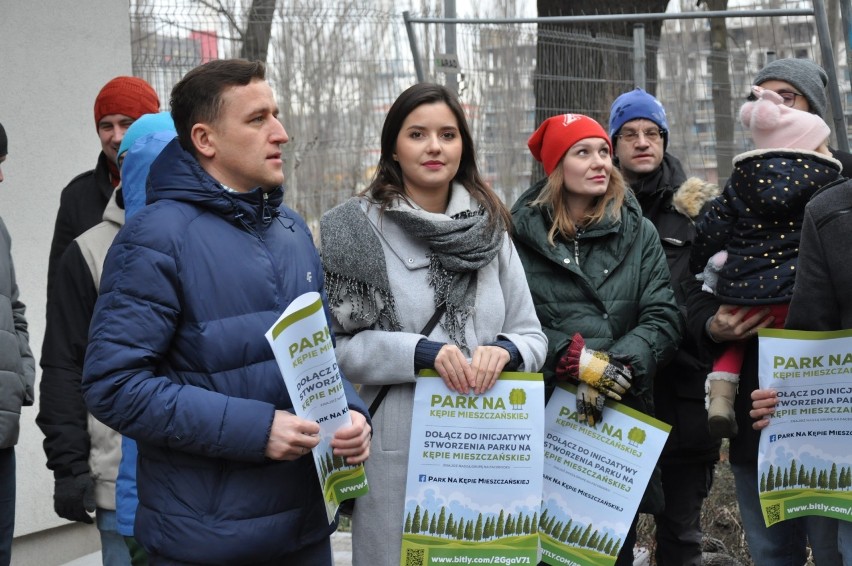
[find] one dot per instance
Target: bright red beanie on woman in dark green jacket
(557, 134)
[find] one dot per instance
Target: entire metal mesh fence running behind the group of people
(336, 68)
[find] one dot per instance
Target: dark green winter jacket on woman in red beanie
(619, 297)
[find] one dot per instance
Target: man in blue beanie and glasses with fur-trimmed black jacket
(639, 131)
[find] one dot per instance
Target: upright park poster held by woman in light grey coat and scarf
(473, 490)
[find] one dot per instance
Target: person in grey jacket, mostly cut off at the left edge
(17, 375)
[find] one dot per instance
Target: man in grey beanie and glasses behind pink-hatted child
(801, 83)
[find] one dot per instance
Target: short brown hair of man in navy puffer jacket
(197, 97)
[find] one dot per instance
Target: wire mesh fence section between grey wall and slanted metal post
(334, 69)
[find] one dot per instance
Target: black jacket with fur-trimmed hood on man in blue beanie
(673, 203)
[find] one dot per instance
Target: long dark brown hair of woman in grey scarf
(387, 184)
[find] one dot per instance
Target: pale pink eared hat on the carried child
(774, 125)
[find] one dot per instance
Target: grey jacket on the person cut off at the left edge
(17, 366)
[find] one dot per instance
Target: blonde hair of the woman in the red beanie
(555, 195)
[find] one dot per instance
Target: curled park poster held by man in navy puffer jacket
(304, 351)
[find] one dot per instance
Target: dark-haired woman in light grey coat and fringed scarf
(427, 236)
